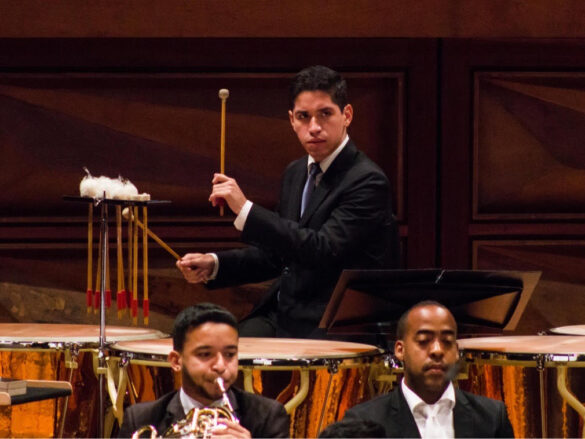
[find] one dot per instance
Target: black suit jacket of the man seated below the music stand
(473, 415)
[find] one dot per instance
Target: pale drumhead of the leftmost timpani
(12, 334)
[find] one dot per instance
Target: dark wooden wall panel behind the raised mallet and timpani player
(162, 132)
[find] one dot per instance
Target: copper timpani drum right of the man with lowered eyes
(521, 371)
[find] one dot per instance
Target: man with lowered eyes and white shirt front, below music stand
(426, 404)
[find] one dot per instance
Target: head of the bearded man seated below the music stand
(428, 350)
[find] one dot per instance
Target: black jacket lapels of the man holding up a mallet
(330, 180)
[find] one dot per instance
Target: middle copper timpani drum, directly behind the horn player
(326, 377)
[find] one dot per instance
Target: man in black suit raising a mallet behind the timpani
(334, 213)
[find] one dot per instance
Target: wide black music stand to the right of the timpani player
(483, 302)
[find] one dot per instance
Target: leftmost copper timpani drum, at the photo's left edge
(54, 352)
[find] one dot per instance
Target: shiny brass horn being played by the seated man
(199, 422)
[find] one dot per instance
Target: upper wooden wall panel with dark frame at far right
(511, 162)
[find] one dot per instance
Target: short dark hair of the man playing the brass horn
(197, 315)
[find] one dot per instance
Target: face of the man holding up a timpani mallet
(319, 123)
